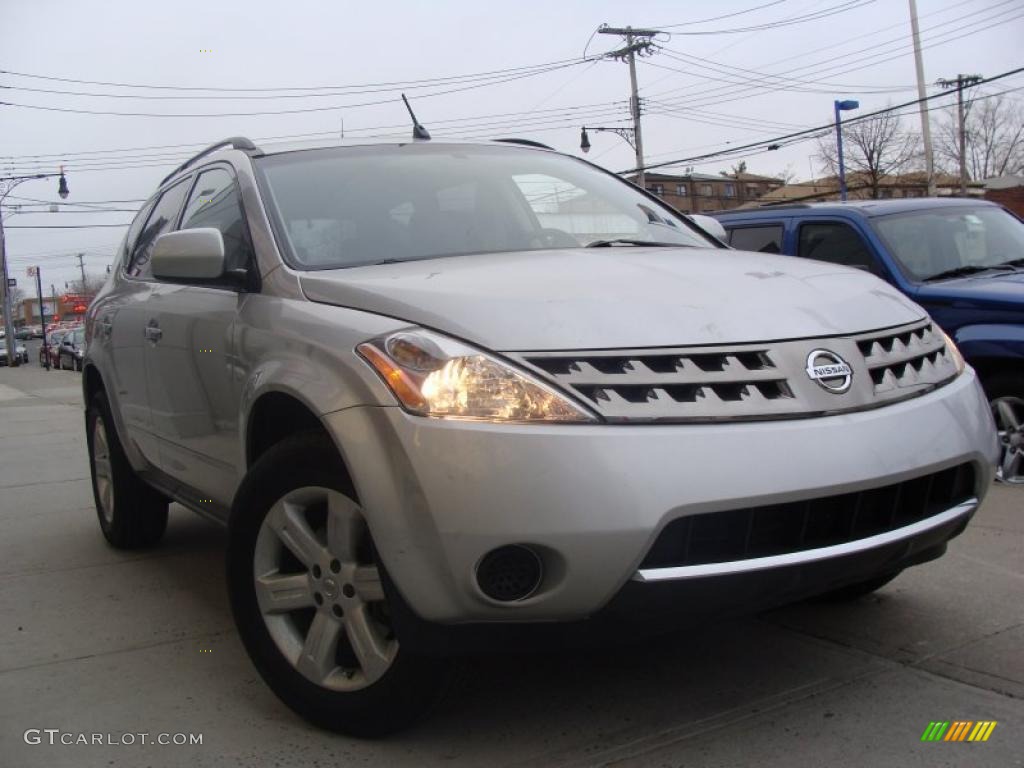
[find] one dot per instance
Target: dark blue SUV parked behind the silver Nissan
(962, 260)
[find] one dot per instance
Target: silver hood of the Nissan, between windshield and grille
(619, 297)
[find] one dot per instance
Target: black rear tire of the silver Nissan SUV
(138, 515)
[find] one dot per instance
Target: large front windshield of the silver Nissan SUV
(351, 206)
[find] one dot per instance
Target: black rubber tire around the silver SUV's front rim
(411, 686)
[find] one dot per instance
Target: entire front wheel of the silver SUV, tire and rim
(309, 600)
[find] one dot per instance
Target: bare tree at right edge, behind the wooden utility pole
(995, 139)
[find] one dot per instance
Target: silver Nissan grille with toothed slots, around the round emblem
(747, 382)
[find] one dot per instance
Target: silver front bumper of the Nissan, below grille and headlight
(592, 499)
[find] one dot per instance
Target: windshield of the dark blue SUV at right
(931, 243)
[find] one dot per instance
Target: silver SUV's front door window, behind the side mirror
(216, 203)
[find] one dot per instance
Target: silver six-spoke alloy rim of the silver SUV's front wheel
(320, 591)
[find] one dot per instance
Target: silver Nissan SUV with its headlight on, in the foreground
(453, 395)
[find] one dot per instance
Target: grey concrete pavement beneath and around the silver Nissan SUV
(96, 642)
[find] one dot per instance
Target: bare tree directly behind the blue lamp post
(873, 150)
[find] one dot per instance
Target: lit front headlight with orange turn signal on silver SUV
(433, 375)
